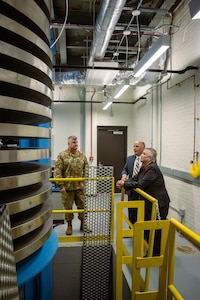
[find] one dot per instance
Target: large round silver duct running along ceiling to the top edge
(104, 27)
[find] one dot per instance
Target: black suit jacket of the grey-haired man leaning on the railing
(151, 181)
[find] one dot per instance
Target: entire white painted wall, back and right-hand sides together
(164, 120)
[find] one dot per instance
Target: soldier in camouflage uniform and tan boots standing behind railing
(71, 163)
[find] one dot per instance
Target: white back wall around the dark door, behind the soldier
(67, 121)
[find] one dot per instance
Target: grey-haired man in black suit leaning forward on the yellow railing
(151, 181)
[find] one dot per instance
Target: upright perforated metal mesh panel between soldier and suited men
(96, 263)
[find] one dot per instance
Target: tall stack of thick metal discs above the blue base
(25, 116)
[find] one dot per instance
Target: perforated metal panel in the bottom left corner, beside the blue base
(8, 280)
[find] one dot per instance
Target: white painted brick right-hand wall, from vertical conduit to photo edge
(179, 129)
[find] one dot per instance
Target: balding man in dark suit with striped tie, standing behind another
(129, 170)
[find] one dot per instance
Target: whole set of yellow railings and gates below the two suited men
(136, 260)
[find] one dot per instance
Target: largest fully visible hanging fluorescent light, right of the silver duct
(160, 46)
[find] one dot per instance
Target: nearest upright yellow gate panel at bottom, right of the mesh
(140, 284)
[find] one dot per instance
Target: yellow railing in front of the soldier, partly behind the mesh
(61, 211)
